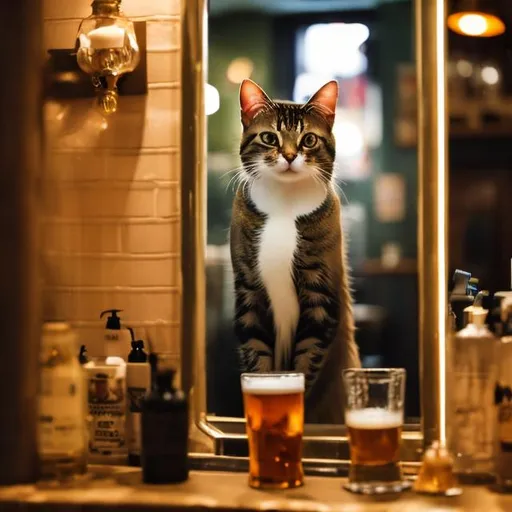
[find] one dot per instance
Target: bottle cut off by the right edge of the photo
(503, 401)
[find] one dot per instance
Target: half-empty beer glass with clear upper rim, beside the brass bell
(374, 417)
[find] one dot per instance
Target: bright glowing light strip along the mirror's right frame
(441, 212)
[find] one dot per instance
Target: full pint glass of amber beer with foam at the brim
(274, 411)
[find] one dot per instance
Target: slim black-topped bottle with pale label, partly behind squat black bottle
(138, 380)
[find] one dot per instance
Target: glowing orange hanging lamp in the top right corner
(475, 18)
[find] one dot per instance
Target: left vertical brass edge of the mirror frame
(193, 203)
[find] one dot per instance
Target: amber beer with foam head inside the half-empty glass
(374, 435)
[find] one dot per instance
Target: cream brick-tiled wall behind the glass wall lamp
(112, 191)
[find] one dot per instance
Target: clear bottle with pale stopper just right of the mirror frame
(472, 422)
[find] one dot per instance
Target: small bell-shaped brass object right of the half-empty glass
(436, 473)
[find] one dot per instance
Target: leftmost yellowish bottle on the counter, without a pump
(61, 426)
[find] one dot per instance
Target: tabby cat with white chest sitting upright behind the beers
(293, 303)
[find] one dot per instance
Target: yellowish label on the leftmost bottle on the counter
(61, 419)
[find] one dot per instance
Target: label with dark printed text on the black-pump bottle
(107, 408)
